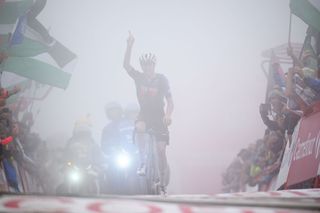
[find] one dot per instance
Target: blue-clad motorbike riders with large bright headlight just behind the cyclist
(117, 139)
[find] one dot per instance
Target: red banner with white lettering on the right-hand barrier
(305, 155)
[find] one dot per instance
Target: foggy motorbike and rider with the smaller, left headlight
(82, 161)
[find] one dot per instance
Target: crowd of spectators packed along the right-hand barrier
(286, 103)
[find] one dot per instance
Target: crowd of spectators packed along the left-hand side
(20, 148)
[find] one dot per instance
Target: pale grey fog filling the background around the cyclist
(209, 50)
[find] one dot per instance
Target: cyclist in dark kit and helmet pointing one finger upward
(152, 89)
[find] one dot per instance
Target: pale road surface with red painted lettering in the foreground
(278, 202)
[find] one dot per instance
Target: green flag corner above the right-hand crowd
(308, 11)
